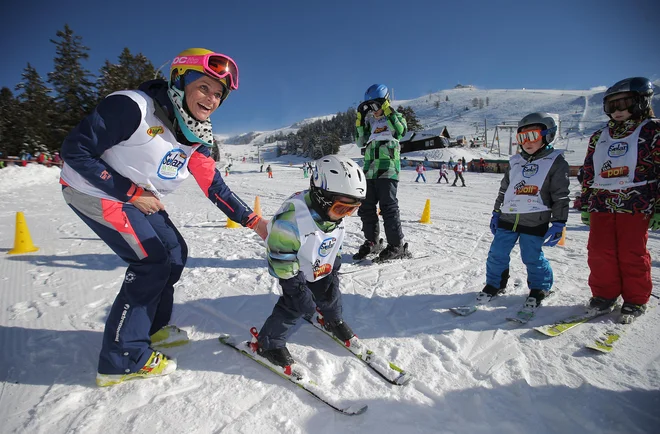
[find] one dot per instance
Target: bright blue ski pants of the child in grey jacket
(539, 272)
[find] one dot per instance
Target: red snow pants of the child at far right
(618, 259)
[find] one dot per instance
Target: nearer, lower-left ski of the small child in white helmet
(298, 375)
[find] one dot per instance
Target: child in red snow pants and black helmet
(621, 199)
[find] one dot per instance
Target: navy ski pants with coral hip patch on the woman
(156, 255)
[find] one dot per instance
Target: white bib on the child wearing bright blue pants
(523, 196)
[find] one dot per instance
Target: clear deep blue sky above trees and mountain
(299, 59)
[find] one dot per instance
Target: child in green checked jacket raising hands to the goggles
(379, 129)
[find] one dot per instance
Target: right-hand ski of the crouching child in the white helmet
(387, 370)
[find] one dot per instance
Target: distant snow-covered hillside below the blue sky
(580, 113)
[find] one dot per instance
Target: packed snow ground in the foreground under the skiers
(475, 374)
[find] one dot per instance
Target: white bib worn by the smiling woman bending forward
(151, 158)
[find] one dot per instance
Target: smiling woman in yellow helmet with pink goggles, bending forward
(133, 149)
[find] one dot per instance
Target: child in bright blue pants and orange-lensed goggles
(533, 193)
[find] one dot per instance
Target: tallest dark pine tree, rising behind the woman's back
(71, 81)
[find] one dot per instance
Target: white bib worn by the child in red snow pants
(615, 161)
